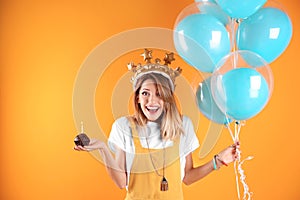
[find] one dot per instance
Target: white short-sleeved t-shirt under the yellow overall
(121, 136)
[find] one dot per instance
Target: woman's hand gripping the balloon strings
(229, 154)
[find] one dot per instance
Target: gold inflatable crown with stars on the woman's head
(156, 67)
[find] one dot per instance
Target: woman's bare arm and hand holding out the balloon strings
(193, 174)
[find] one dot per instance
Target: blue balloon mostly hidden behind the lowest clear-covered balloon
(207, 105)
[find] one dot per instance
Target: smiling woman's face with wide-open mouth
(150, 102)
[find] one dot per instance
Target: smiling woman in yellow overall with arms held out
(153, 148)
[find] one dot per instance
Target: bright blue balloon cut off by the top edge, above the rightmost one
(240, 9)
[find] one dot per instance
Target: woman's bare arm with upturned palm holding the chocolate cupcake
(115, 166)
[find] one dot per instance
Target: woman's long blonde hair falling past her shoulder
(171, 122)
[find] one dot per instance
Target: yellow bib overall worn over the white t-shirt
(146, 185)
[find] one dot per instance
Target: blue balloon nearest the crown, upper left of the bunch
(201, 40)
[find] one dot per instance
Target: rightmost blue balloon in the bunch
(267, 33)
